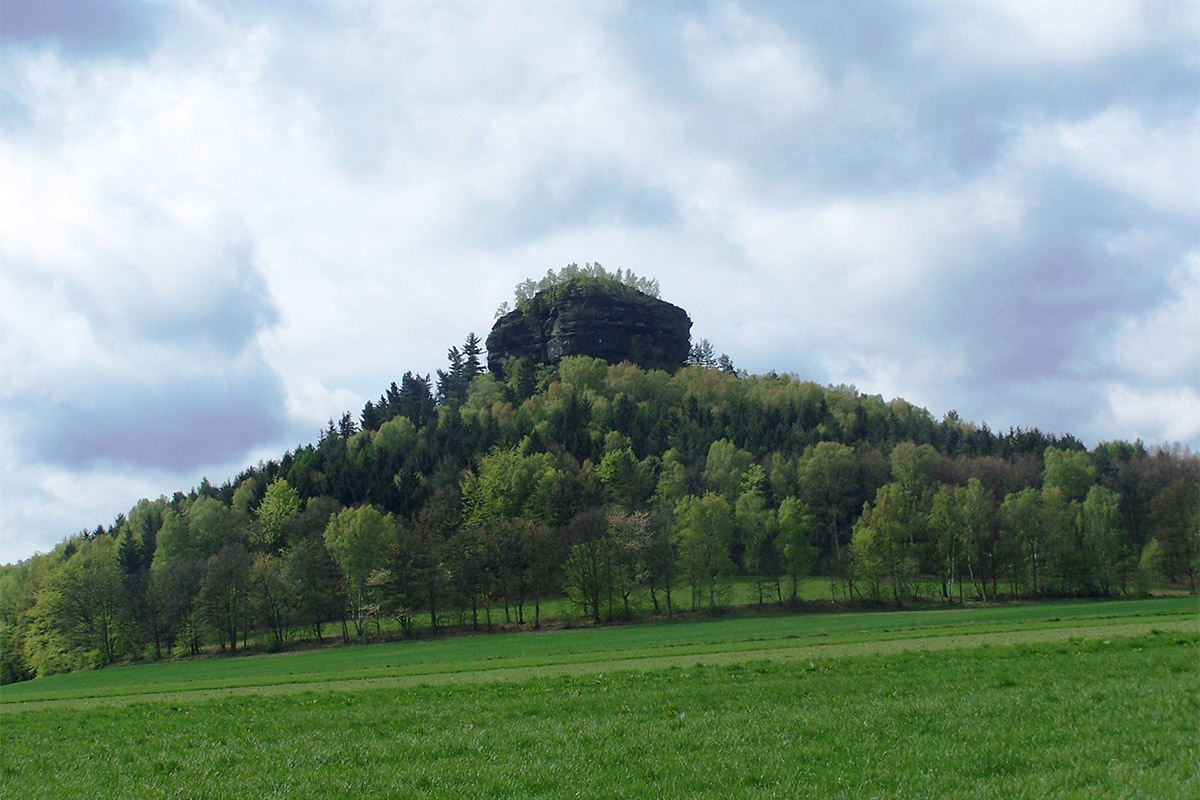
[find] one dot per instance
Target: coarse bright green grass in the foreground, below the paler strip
(1088, 718)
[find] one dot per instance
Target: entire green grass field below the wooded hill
(1070, 700)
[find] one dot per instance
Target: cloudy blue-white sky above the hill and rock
(225, 222)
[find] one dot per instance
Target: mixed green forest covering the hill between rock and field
(466, 502)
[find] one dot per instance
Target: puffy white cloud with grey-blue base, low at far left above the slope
(148, 359)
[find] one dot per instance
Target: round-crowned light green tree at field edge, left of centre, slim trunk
(361, 540)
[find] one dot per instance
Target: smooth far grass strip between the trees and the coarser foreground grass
(777, 636)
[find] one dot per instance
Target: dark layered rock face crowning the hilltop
(615, 326)
